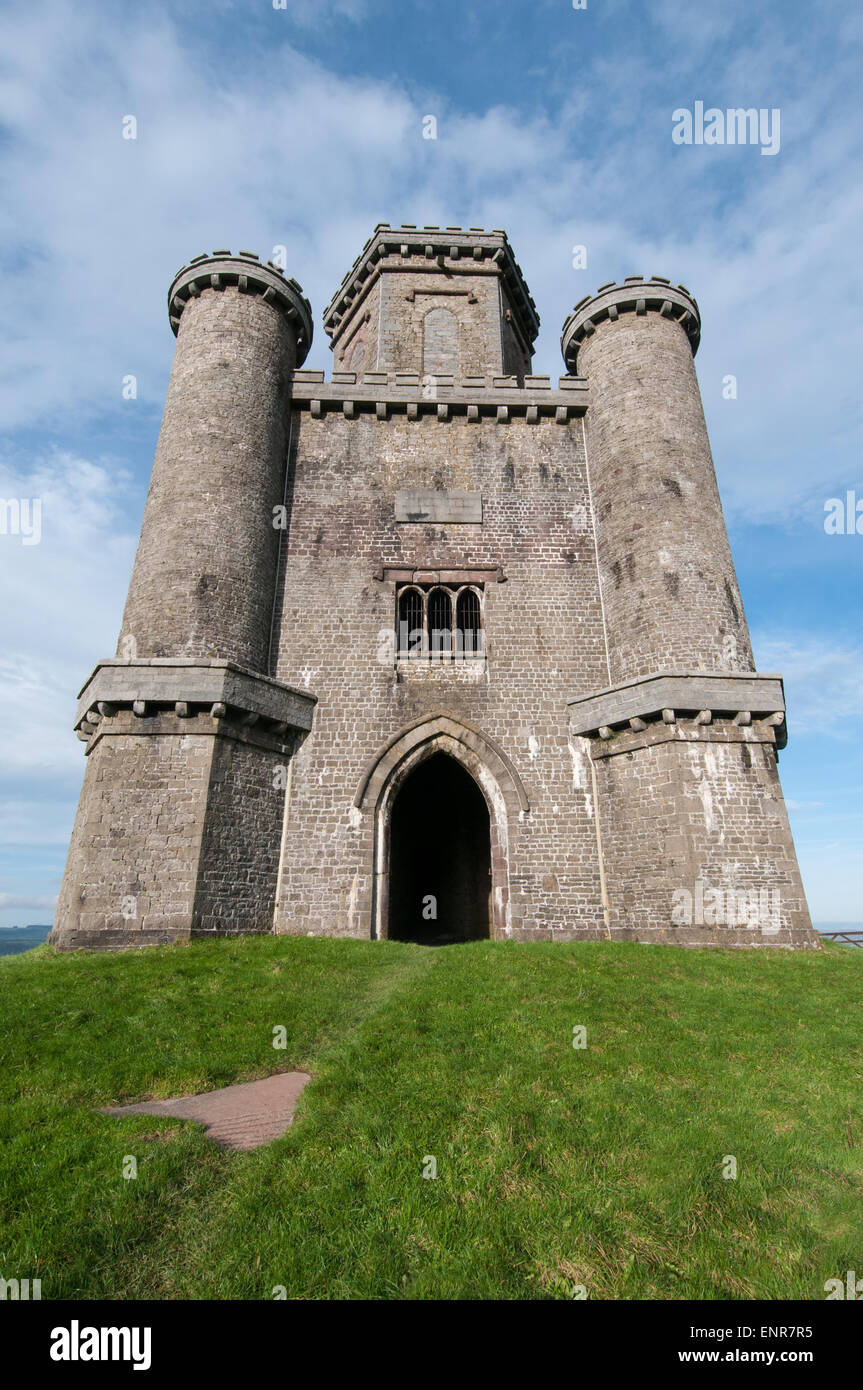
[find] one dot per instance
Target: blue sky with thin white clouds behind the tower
(304, 127)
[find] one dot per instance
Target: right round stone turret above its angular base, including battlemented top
(669, 589)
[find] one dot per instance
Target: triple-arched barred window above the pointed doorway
(440, 622)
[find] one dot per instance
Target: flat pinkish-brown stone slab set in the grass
(238, 1117)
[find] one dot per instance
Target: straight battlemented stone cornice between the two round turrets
(409, 394)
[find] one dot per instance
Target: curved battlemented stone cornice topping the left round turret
(252, 277)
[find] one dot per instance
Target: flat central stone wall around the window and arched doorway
(544, 641)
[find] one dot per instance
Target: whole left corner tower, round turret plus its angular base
(179, 808)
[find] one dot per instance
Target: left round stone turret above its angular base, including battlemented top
(205, 572)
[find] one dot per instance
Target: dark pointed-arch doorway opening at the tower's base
(440, 857)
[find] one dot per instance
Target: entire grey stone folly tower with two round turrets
(433, 650)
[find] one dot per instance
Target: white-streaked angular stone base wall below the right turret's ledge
(696, 839)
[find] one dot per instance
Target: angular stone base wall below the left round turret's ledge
(179, 833)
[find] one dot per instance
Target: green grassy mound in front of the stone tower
(557, 1167)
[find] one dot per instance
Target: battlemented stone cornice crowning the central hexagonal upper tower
(448, 247)
